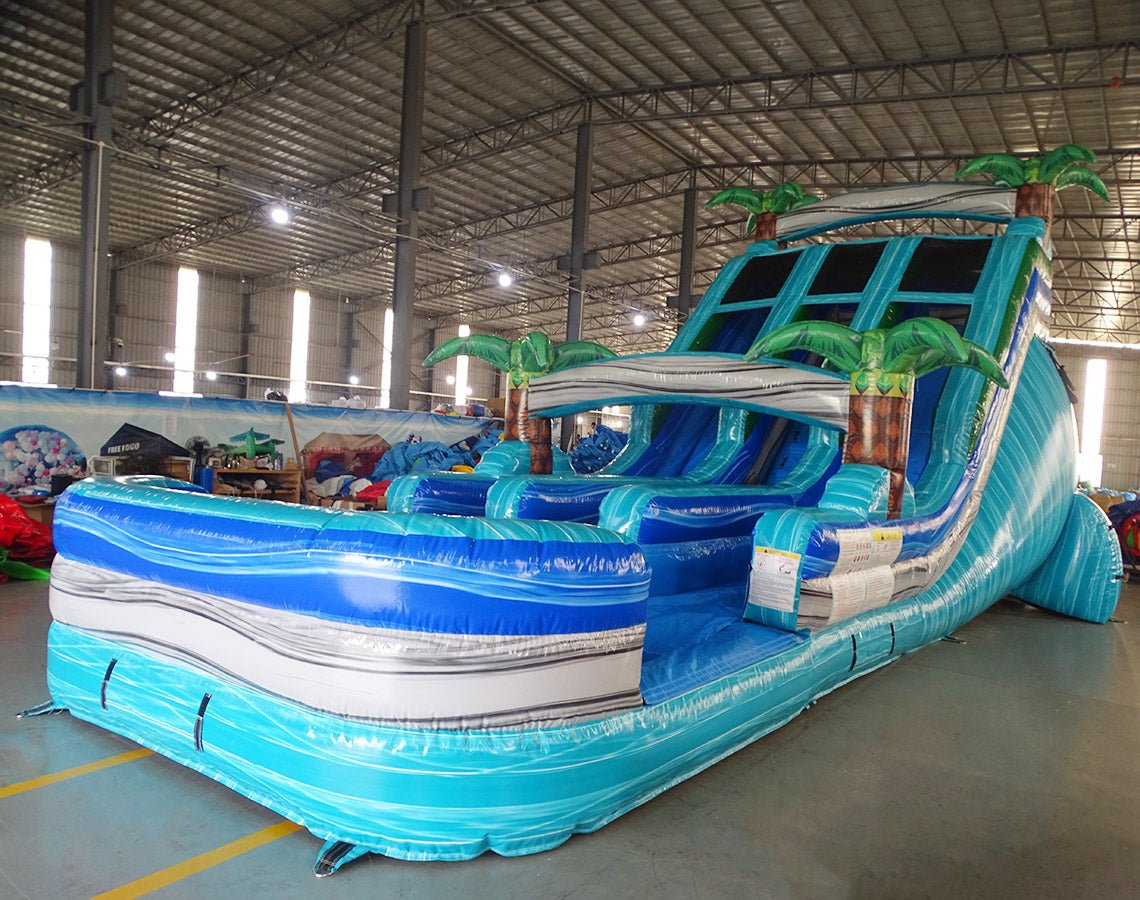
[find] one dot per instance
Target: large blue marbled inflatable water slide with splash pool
(852, 448)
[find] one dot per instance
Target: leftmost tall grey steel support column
(95, 100)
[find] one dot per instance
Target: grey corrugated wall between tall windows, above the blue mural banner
(144, 321)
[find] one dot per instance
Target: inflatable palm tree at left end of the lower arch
(524, 360)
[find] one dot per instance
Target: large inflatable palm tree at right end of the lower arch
(883, 367)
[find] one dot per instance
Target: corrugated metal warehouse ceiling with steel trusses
(234, 106)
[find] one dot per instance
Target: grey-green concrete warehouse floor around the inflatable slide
(1004, 767)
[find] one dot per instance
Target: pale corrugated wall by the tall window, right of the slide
(1120, 443)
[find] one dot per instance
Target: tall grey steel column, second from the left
(408, 232)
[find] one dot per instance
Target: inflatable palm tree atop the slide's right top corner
(1039, 179)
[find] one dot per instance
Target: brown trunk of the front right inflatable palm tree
(880, 428)
